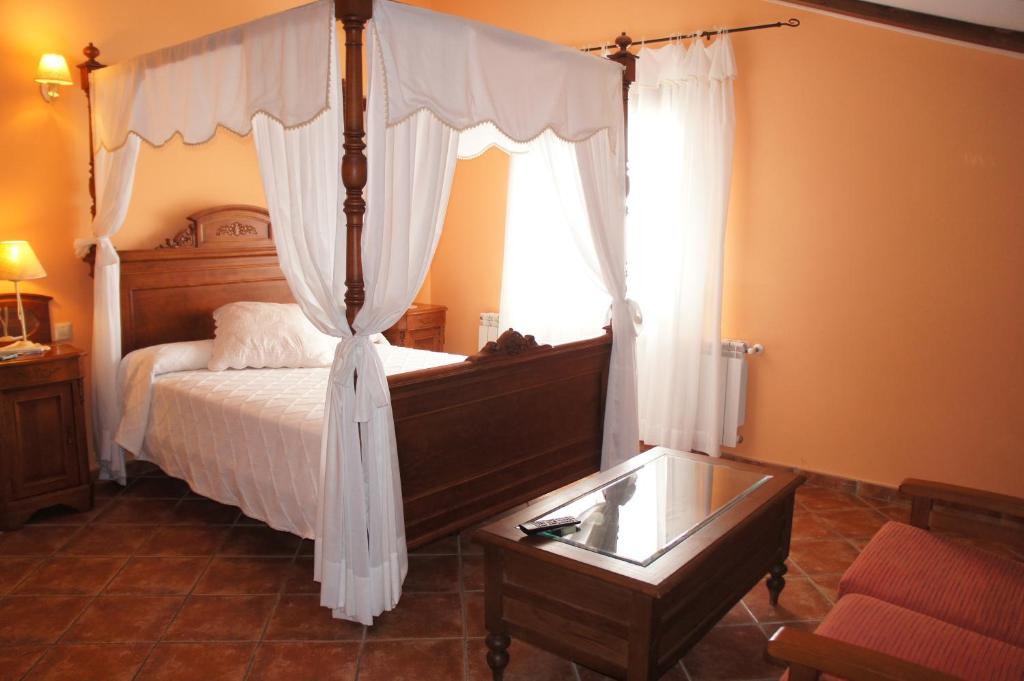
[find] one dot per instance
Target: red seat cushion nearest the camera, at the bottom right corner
(923, 641)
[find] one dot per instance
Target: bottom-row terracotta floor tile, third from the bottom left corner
(192, 662)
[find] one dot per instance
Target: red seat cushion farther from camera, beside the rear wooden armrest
(916, 570)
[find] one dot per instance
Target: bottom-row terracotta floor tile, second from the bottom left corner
(91, 663)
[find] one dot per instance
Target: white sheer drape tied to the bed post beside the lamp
(115, 179)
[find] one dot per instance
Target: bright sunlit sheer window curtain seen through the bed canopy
(551, 284)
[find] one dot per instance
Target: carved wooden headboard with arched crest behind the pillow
(226, 254)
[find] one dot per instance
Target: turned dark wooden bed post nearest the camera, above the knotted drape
(354, 16)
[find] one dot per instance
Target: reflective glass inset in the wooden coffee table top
(643, 515)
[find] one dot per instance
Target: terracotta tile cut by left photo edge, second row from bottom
(39, 619)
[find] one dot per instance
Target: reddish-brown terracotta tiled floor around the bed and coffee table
(157, 584)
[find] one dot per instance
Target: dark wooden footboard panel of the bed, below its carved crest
(488, 435)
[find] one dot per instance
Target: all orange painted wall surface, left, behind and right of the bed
(875, 244)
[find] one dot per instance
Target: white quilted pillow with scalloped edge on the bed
(268, 335)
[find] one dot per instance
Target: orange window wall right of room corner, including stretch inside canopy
(875, 244)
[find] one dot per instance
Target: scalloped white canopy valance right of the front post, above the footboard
(467, 73)
